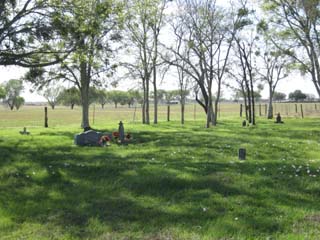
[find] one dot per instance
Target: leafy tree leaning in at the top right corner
(295, 27)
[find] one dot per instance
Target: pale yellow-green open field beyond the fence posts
(33, 116)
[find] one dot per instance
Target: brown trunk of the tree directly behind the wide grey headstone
(84, 95)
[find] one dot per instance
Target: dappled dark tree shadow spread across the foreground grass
(131, 193)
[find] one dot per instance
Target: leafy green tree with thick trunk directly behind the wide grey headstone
(90, 26)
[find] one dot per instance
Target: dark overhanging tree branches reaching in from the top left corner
(26, 36)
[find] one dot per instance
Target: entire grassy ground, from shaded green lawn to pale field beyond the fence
(170, 182)
